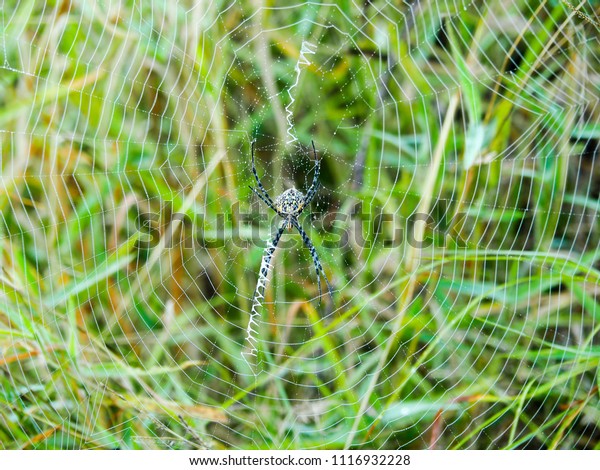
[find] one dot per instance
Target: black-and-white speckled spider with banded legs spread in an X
(289, 205)
